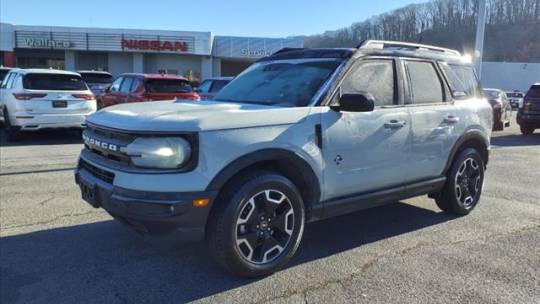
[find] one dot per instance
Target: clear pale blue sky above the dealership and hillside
(276, 18)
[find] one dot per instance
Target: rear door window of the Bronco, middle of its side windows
(424, 83)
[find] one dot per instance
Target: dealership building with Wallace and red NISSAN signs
(195, 55)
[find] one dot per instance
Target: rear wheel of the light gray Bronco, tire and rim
(464, 183)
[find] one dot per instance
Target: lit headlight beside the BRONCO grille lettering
(159, 152)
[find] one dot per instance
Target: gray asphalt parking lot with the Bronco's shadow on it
(54, 248)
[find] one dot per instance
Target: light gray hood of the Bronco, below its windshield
(183, 115)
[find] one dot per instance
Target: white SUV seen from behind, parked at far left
(33, 99)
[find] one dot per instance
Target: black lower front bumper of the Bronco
(155, 213)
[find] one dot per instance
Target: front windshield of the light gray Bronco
(286, 83)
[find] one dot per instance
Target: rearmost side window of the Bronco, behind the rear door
(461, 79)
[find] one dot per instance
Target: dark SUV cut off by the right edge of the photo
(529, 115)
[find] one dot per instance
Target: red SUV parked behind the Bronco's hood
(146, 87)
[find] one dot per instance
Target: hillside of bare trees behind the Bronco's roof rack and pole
(512, 30)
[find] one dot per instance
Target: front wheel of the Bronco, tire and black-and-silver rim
(230, 242)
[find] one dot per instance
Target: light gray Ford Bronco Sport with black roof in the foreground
(301, 135)
